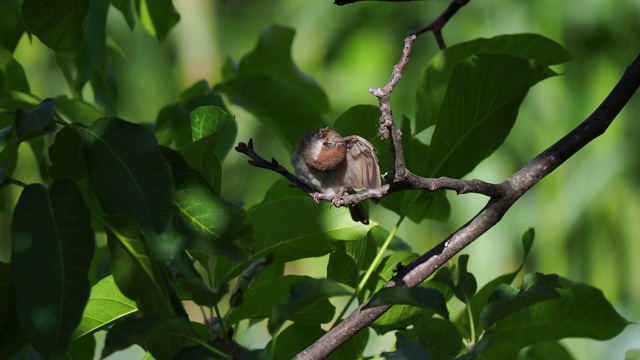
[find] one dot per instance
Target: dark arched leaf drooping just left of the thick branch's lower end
(301, 294)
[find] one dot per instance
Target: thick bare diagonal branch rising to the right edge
(514, 187)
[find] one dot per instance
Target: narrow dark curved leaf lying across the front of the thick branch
(428, 298)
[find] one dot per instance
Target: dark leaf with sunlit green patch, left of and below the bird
(215, 223)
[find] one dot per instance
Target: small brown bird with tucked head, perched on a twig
(334, 165)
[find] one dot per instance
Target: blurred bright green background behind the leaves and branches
(586, 214)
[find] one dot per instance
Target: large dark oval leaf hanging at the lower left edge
(51, 234)
